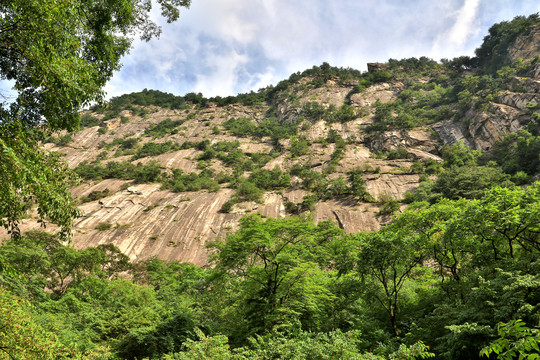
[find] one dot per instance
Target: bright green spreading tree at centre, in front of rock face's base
(279, 264)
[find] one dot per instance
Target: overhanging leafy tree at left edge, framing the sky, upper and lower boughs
(58, 55)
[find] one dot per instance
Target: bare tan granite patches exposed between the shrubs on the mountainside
(144, 220)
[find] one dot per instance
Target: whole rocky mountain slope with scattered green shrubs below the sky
(163, 175)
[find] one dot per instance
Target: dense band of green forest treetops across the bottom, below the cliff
(445, 273)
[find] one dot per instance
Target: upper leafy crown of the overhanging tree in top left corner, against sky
(69, 54)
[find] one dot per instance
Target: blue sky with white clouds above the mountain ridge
(226, 47)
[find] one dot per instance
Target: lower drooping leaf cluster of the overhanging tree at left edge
(32, 175)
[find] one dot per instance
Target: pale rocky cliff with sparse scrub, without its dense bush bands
(147, 219)
